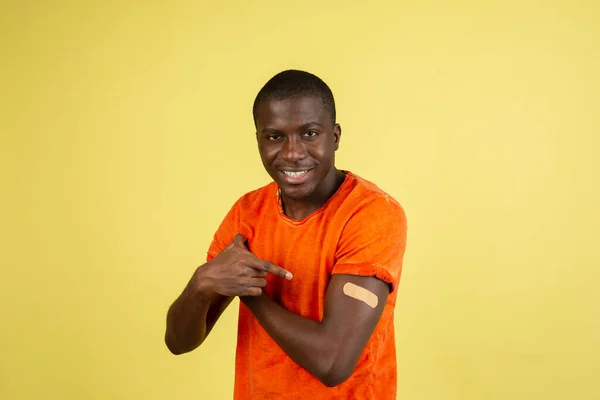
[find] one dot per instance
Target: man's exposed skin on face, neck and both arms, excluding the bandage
(293, 134)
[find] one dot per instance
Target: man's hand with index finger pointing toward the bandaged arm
(235, 272)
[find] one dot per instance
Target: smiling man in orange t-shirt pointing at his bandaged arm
(315, 258)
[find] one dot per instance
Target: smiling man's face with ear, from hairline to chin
(297, 141)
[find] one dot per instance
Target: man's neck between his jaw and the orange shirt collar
(300, 209)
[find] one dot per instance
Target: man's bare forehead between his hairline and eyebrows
(297, 110)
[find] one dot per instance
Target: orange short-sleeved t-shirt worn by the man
(360, 230)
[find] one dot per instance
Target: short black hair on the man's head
(293, 82)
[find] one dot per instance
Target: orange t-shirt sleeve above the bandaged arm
(373, 242)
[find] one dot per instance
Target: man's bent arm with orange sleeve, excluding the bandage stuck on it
(369, 254)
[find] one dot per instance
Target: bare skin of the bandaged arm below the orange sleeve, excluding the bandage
(329, 349)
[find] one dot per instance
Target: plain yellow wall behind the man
(127, 134)
